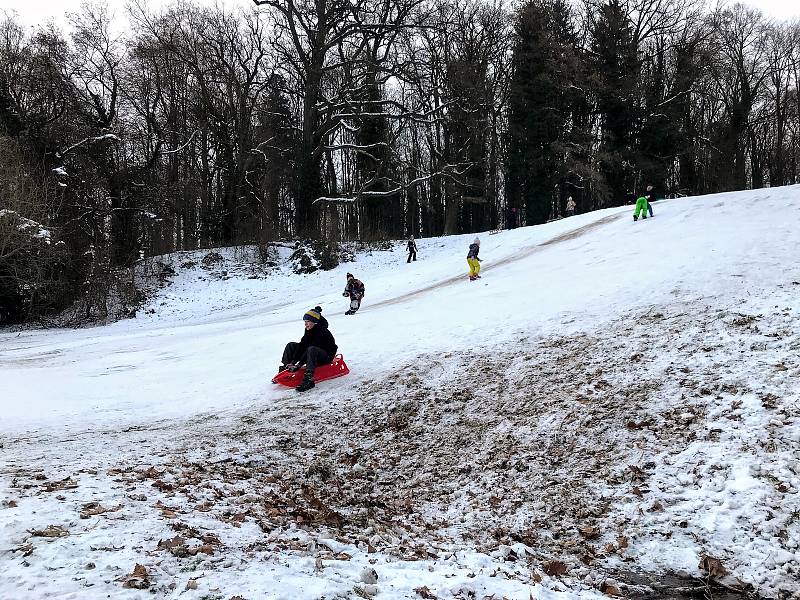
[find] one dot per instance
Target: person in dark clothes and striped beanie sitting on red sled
(316, 347)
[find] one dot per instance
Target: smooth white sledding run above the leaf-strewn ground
(144, 365)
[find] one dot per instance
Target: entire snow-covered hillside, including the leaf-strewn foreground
(612, 400)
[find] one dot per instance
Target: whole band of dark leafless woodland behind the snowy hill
(337, 120)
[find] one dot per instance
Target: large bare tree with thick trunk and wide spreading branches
(337, 57)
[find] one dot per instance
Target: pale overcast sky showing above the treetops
(36, 11)
